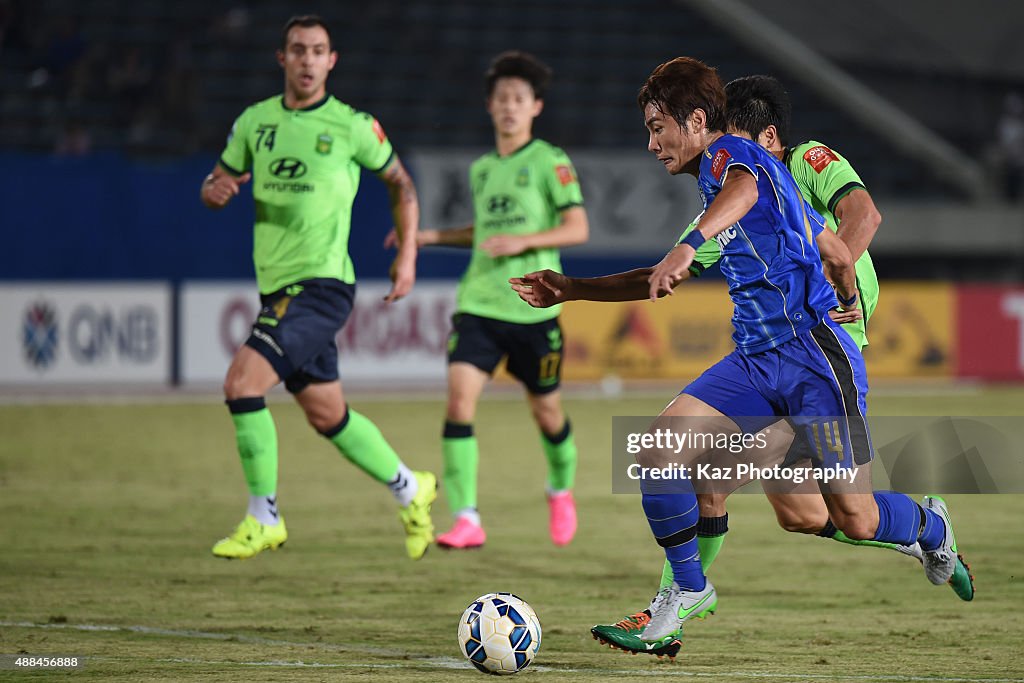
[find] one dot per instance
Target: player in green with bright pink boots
(527, 204)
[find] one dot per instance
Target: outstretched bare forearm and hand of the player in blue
(547, 288)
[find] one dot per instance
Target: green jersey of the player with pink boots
(521, 194)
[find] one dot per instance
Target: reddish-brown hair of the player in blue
(678, 88)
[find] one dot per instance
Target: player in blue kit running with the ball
(791, 361)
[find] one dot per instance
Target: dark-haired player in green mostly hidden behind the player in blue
(759, 109)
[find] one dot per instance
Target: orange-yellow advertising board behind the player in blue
(912, 334)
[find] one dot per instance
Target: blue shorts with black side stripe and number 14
(817, 381)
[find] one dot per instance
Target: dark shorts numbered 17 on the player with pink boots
(534, 352)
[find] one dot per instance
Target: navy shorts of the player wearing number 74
(296, 330)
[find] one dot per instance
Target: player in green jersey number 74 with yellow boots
(304, 151)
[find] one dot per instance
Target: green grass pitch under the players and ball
(109, 513)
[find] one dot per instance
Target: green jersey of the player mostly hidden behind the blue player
(824, 178)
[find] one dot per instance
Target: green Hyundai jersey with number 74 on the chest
(306, 165)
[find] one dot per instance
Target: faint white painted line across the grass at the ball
(414, 660)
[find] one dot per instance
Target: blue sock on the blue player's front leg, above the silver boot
(673, 520)
